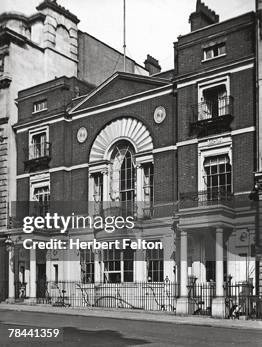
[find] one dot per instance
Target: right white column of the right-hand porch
(219, 263)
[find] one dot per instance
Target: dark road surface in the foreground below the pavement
(99, 331)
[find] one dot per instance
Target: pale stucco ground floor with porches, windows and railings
(189, 271)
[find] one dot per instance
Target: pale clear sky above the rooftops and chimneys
(151, 25)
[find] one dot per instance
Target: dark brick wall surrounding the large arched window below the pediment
(67, 151)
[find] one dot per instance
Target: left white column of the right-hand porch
(183, 264)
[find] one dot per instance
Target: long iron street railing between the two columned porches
(136, 295)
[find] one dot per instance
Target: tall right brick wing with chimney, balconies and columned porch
(215, 72)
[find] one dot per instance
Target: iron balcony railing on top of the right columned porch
(218, 196)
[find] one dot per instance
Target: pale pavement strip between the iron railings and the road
(127, 314)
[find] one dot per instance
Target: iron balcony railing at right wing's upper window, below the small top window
(211, 109)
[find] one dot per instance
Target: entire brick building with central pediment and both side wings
(178, 155)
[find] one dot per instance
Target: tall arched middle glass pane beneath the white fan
(122, 176)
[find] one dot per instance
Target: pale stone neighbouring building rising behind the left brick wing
(35, 49)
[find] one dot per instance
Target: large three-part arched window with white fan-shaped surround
(121, 171)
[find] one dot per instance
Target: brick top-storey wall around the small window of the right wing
(239, 38)
